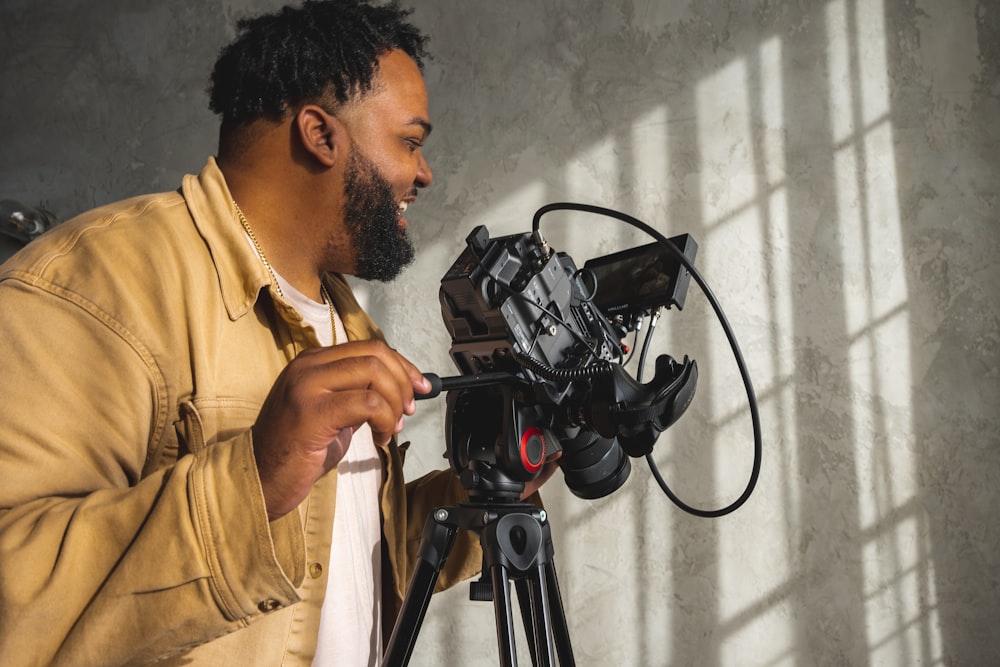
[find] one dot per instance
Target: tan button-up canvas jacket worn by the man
(137, 344)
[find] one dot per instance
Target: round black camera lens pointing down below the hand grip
(592, 466)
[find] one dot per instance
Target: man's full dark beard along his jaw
(382, 248)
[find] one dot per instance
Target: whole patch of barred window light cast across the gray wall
(844, 572)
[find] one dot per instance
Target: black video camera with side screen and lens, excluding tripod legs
(539, 345)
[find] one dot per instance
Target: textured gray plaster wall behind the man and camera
(837, 162)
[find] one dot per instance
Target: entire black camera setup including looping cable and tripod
(539, 346)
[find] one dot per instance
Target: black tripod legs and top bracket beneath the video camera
(517, 546)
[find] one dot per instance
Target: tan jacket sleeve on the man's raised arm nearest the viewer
(98, 563)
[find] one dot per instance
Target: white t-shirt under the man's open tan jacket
(350, 632)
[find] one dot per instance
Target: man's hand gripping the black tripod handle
(315, 405)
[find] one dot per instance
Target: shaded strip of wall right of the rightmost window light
(947, 158)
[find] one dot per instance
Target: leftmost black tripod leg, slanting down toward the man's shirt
(435, 545)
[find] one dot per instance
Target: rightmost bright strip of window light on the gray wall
(900, 616)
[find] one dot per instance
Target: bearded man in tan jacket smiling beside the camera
(198, 446)
